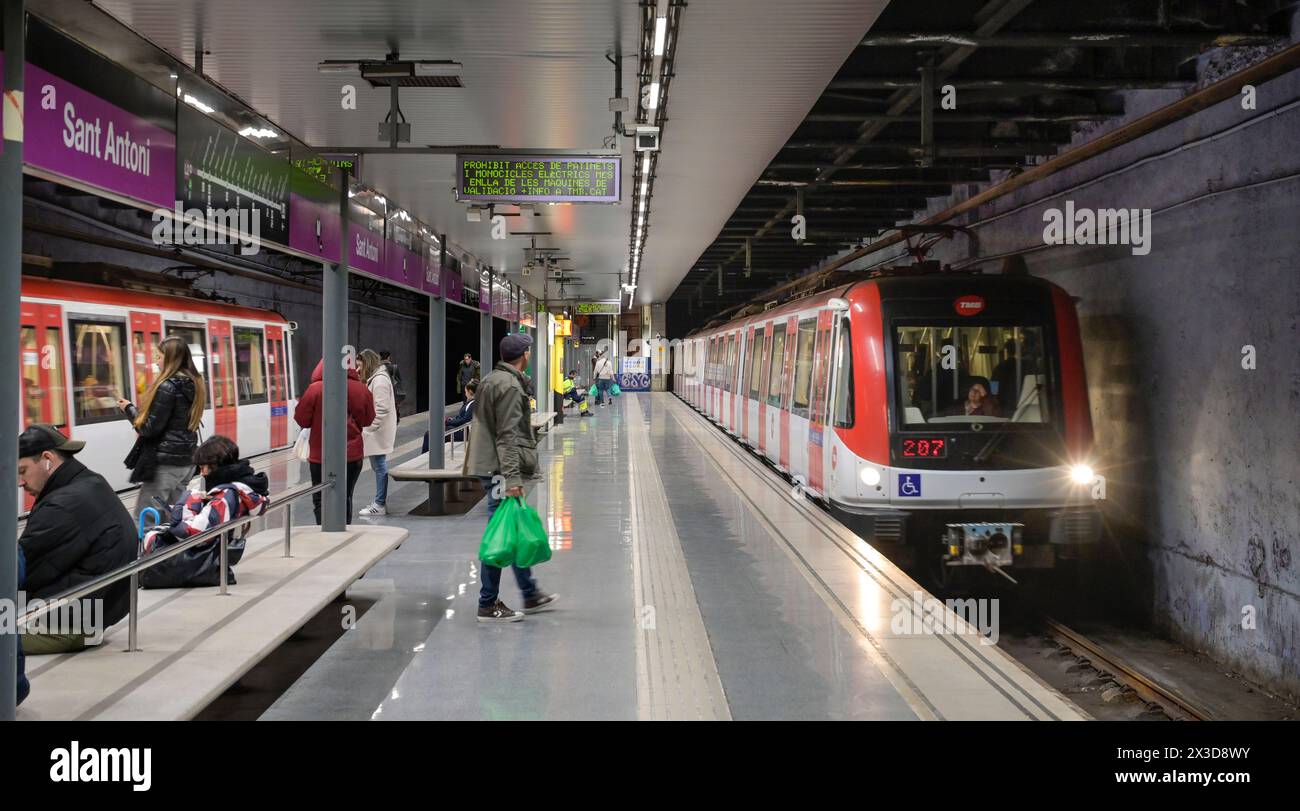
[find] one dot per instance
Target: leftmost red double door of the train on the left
(44, 379)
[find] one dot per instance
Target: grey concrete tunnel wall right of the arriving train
(1201, 454)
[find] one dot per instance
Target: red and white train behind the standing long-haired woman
(85, 346)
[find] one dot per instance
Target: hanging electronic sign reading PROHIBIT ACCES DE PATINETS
(538, 179)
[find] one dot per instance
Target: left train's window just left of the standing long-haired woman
(99, 371)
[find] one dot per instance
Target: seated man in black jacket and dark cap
(79, 530)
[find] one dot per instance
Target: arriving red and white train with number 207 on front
(943, 417)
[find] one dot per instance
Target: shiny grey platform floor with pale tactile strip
(692, 586)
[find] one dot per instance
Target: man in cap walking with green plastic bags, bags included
(502, 452)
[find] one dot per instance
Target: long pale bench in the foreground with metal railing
(194, 643)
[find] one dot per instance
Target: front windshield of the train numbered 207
(970, 374)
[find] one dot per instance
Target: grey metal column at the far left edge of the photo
(11, 294)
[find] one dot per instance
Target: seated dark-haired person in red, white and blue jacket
(232, 491)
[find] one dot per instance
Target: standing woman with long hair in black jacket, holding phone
(167, 424)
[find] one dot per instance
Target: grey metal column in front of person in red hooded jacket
(339, 357)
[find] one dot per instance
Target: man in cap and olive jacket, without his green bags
(502, 445)
